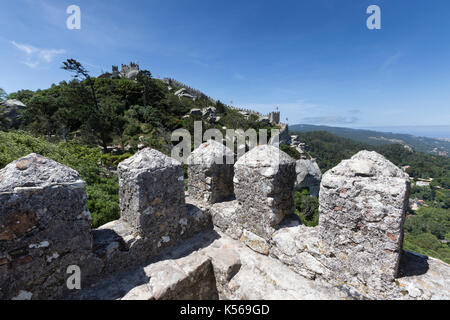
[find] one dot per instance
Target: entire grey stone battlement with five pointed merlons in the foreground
(233, 235)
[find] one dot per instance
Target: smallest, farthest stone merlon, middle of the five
(210, 174)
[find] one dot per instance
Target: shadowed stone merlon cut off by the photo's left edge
(45, 226)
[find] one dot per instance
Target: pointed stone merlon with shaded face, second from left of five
(151, 193)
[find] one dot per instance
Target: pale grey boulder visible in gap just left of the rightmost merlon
(308, 176)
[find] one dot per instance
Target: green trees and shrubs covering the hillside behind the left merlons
(91, 124)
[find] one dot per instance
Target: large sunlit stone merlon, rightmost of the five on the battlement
(362, 210)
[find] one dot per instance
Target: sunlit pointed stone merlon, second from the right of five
(264, 187)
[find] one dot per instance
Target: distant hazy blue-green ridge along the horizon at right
(375, 138)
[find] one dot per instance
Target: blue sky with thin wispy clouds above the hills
(316, 60)
